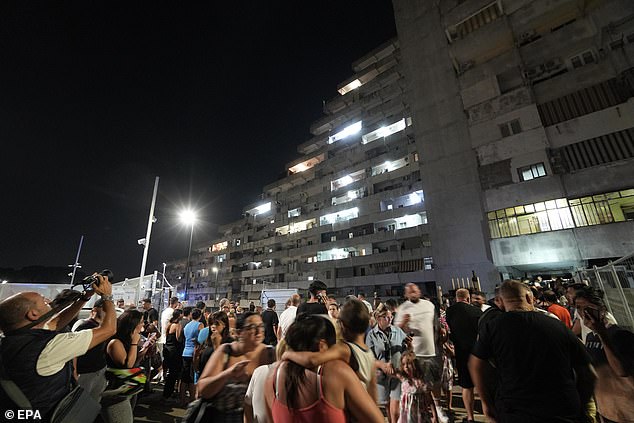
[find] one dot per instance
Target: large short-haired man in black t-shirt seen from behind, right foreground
(543, 371)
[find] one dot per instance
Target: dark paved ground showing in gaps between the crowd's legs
(153, 408)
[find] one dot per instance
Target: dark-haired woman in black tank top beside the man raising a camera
(122, 352)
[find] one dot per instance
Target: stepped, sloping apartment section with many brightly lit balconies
(350, 210)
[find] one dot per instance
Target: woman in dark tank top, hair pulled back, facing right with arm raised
(226, 375)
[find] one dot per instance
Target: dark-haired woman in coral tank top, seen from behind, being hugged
(295, 394)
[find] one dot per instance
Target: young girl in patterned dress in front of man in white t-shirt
(417, 403)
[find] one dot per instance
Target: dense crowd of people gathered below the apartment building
(535, 352)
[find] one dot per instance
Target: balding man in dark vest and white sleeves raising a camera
(35, 356)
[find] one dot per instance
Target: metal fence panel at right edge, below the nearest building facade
(617, 281)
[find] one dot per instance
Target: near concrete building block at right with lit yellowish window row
(523, 116)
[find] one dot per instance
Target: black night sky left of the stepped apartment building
(97, 98)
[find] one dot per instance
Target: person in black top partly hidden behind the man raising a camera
(91, 367)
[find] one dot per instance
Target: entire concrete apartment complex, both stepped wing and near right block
(493, 137)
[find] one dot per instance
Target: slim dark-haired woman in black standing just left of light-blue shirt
(173, 353)
